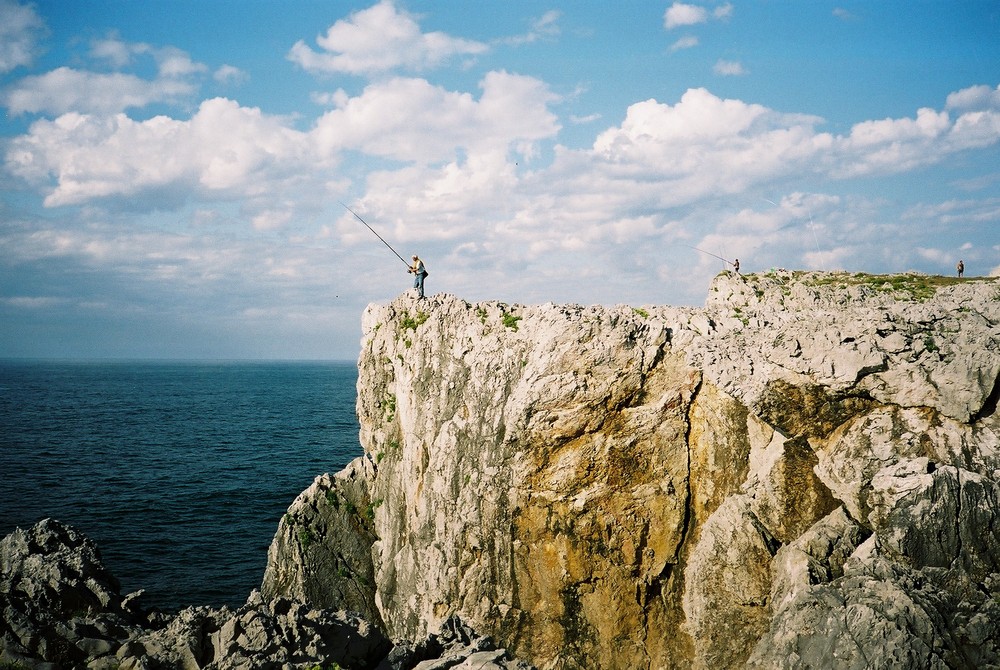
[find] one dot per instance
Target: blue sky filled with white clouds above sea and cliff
(171, 172)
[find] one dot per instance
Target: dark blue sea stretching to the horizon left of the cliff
(179, 471)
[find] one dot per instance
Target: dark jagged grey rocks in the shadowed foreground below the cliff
(62, 609)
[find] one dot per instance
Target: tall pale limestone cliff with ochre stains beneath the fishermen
(806, 468)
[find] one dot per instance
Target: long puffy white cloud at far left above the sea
(224, 149)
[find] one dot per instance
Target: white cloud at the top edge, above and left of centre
(380, 39)
